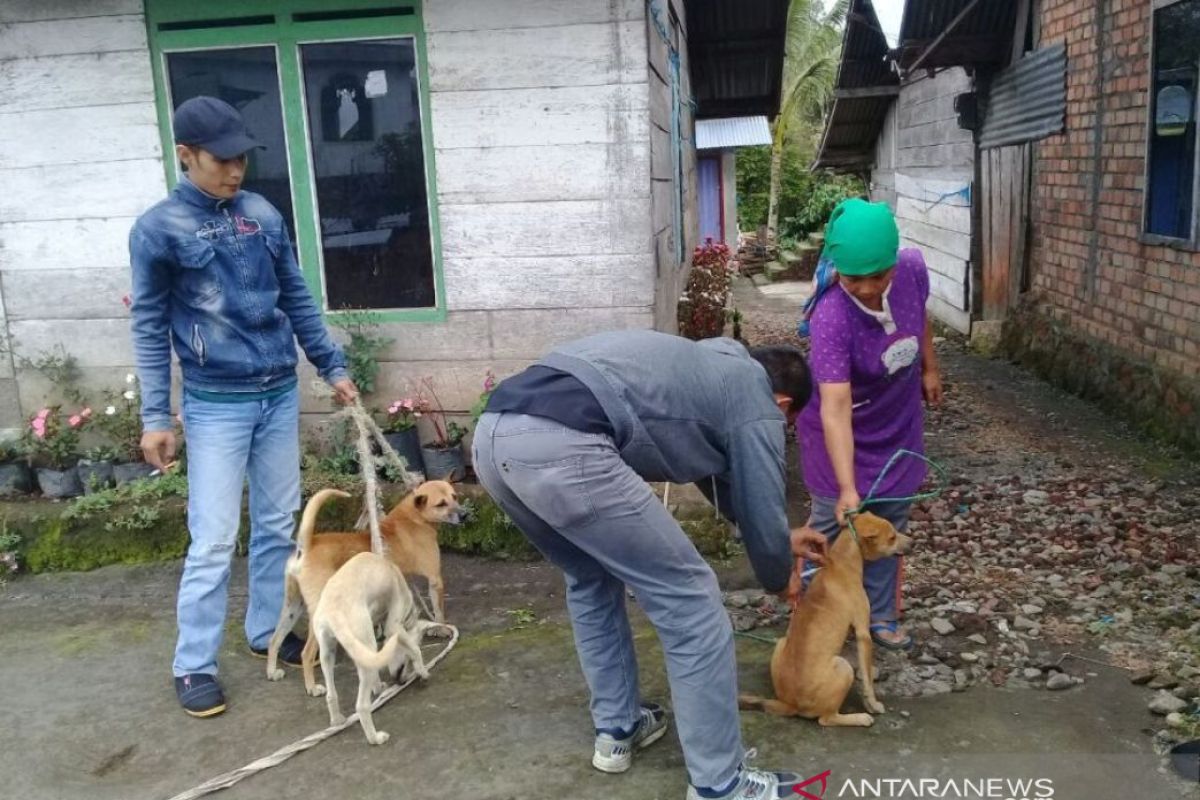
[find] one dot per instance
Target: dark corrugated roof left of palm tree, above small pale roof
(736, 56)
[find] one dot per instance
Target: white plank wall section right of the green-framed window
(541, 113)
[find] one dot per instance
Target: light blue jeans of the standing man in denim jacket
(227, 443)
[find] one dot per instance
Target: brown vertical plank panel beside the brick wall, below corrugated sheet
(1005, 195)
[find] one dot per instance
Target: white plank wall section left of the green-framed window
(80, 159)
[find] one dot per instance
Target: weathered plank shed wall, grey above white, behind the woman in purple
(922, 160)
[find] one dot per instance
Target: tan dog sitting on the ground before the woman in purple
(811, 678)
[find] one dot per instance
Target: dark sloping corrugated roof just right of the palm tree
(854, 124)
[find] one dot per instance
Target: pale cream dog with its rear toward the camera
(368, 591)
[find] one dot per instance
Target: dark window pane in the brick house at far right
(1173, 131)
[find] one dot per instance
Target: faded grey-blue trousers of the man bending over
(598, 521)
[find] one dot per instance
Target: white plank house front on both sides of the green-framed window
(542, 129)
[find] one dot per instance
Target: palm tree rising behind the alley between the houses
(811, 68)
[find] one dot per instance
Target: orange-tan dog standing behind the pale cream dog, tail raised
(411, 539)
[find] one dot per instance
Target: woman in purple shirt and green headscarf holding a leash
(873, 360)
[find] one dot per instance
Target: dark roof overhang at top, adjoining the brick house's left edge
(983, 37)
